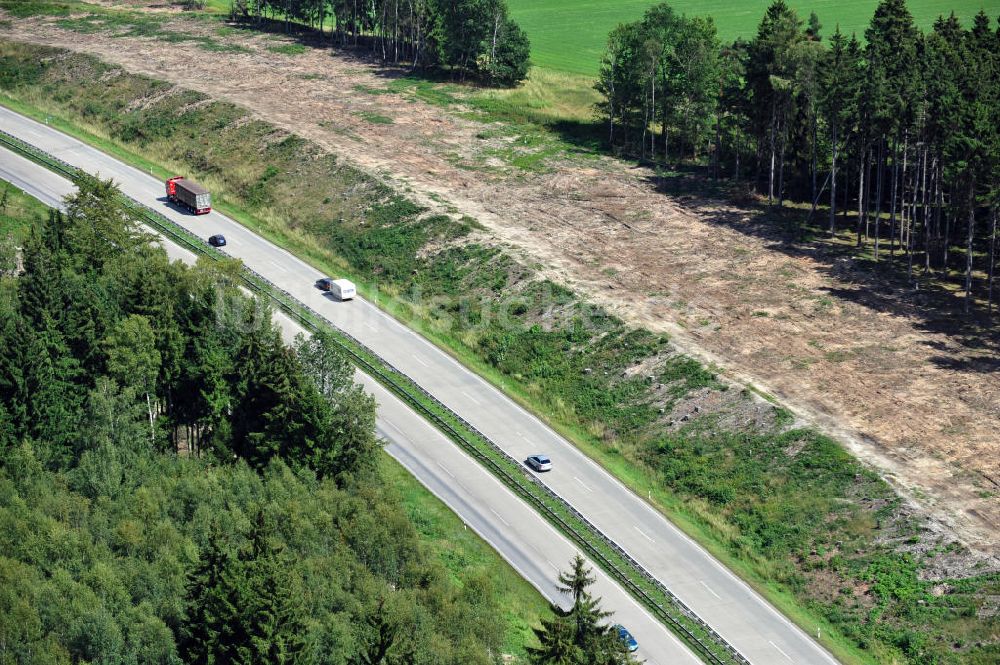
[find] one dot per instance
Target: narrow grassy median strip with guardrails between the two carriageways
(711, 646)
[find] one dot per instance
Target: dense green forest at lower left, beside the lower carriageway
(177, 485)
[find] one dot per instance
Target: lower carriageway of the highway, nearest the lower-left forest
(507, 523)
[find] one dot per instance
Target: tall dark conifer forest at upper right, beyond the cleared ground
(893, 135)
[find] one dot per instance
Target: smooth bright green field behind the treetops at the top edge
(569, 35)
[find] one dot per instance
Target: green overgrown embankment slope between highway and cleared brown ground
(790, 511)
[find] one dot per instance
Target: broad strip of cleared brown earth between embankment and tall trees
(879, 370)
